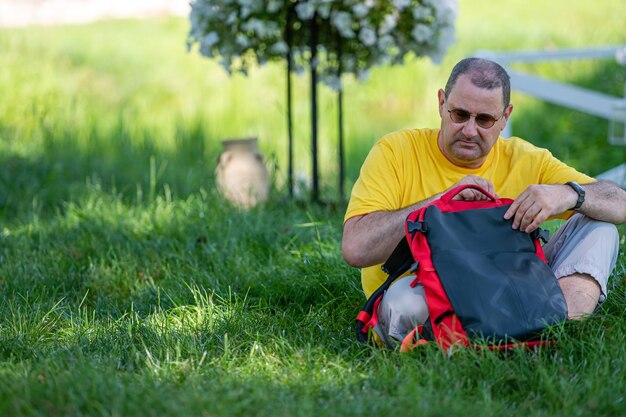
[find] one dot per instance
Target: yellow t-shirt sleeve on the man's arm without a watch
(378, 185)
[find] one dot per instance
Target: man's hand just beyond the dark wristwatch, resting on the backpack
(537, 203)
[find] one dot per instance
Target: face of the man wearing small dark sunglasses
(467, 144)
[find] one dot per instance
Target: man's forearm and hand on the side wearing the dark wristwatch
(604, 201)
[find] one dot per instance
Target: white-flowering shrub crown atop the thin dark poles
(353, 35)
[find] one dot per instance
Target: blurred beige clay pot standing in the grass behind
(241, 176)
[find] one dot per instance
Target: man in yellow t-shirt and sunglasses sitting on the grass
(408, 169)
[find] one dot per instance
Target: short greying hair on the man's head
(483, 74)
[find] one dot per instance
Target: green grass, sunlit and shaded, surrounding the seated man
(127, 287)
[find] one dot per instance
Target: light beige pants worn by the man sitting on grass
(581, 245)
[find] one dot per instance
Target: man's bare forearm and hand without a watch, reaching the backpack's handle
(370, 239)
